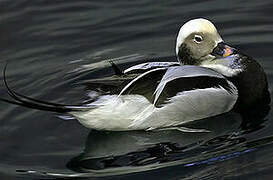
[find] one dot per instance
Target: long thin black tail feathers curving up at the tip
(21, 100)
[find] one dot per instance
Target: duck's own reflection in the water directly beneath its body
(137, 148)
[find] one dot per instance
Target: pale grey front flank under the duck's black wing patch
(188, 106)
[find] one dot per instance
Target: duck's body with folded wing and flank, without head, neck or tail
(161, 98)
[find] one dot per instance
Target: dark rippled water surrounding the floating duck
(53, 47)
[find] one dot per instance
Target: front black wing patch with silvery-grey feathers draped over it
(181, 79)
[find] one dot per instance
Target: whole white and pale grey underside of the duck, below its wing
(135, 112)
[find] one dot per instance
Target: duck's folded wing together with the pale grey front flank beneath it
(182, 94)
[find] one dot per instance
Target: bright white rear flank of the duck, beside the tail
(115, 113)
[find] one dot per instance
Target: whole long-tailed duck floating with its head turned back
(209, 78)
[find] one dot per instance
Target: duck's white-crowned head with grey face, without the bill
(196, 40)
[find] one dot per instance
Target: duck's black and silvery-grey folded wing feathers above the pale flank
(161, 84)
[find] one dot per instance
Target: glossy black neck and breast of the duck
(251, 83)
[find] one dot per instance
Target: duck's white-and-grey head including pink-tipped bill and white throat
(199, 43)
